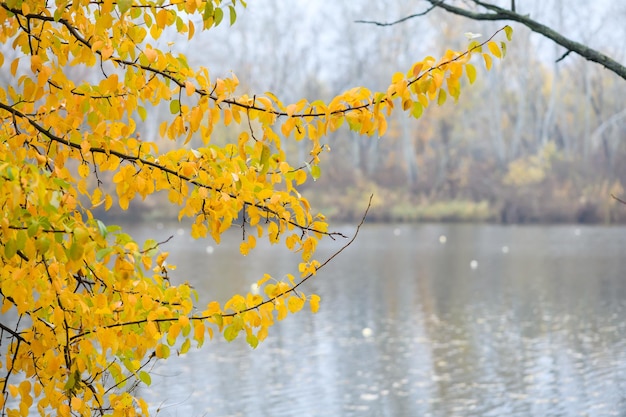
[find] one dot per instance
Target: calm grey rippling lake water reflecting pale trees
(533, 327)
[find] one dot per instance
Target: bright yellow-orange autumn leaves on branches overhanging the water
(84, 307)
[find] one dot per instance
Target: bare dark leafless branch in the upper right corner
(496, 13)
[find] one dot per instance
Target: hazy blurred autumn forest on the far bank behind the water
(538, 139)
